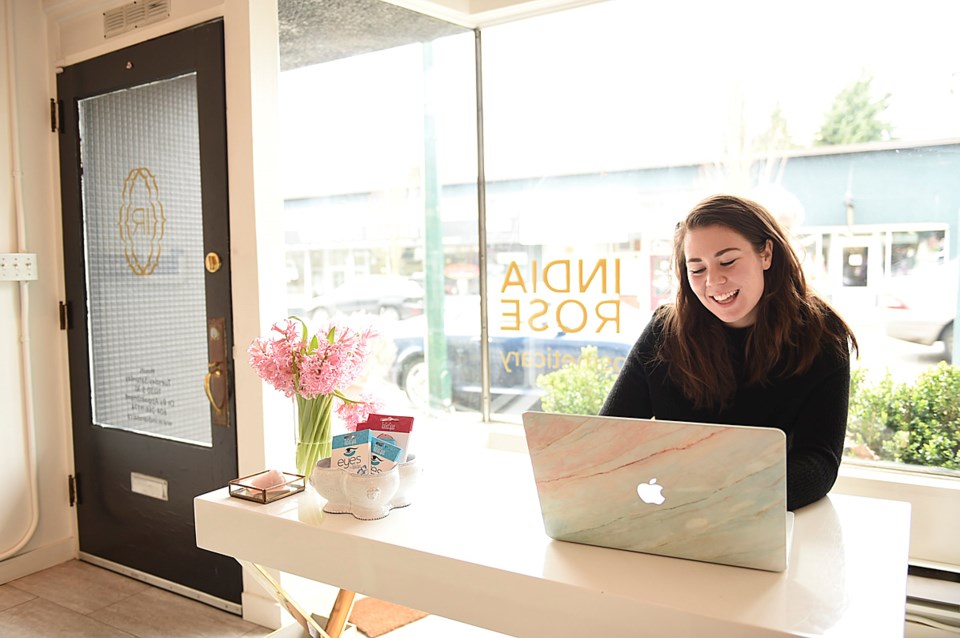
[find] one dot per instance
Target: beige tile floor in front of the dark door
(81, 600)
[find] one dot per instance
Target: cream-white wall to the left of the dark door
(54, 539)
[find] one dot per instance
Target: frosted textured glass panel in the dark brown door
(143, 230)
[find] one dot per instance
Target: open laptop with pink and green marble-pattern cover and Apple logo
(706, 492)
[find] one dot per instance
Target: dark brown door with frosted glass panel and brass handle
(145, 223)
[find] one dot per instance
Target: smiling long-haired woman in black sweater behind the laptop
(746, 343)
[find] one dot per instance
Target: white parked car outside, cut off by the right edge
(921, 307)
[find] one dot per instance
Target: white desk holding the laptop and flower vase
(471, 547)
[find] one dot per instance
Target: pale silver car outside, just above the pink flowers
(392, 297)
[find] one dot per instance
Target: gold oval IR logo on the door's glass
(141, 222)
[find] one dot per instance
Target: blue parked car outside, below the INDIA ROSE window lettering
(517, 359)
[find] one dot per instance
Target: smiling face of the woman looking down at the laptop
(726, 273)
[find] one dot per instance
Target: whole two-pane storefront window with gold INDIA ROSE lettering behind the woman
(603, 125)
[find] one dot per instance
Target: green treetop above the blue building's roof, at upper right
(855, 116)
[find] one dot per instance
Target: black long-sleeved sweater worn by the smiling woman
(810, 408)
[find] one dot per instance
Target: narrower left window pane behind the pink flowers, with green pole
(380, 188)
